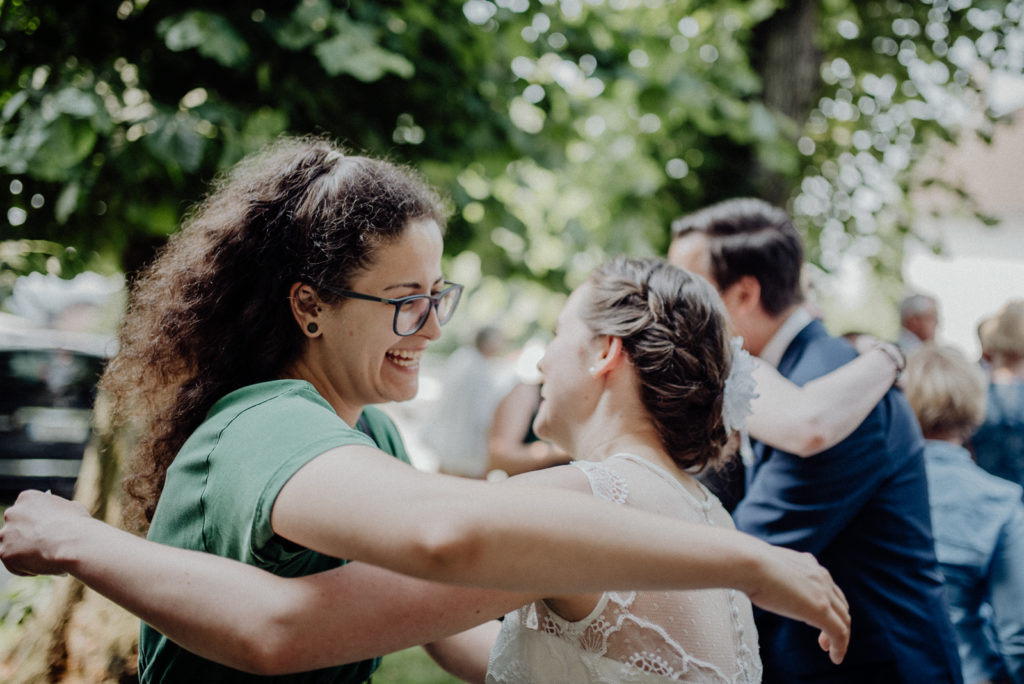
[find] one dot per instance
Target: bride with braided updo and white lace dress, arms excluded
(634, 382)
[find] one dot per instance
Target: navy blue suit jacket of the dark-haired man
(862, 508)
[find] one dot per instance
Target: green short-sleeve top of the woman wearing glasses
(221, 491)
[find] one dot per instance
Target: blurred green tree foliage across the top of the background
(563, 131)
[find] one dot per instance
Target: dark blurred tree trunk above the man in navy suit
(789, 61)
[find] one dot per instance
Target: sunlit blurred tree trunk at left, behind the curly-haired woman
(79, 636)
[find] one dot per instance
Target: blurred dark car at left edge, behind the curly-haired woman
(48, 389)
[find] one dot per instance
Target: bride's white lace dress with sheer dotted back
(705, 636)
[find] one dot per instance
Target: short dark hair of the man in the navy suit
(750, 237)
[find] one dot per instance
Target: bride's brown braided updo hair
(673, 327)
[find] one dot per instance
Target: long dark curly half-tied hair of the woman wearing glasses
(212, 315)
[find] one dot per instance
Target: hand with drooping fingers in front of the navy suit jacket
(796, 586)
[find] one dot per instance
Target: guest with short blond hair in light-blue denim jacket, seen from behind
(977, 519)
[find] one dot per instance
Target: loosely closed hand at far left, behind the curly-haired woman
(35, 530)
